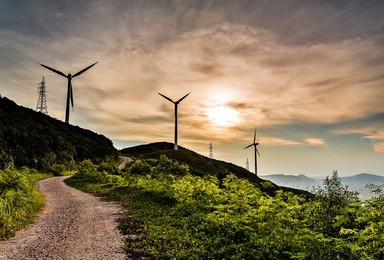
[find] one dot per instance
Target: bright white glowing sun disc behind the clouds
(223, 116)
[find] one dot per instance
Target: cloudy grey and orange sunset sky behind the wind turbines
(309, 75)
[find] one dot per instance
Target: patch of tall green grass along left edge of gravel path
(19, 200)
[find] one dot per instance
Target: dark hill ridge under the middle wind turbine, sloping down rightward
(201, 165)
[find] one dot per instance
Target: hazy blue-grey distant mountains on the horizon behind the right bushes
(354, 183)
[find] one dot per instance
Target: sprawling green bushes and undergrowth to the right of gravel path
(175, 214)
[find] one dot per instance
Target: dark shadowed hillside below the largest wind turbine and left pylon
(29, 138)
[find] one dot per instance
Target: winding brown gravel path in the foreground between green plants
(73, 225)
